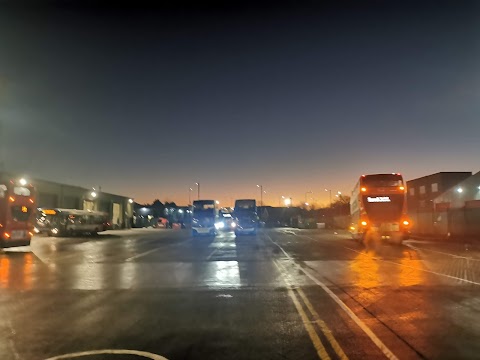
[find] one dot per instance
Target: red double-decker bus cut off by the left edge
(17, 207)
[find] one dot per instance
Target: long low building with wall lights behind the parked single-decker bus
(50, 194)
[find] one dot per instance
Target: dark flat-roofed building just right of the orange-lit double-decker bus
(422, 197)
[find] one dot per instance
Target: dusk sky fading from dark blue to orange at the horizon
(147, 100)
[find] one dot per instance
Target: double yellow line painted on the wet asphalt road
(309, 324)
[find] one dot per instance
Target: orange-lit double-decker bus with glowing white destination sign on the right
(378, 206)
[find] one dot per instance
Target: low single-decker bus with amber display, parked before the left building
(61, 222)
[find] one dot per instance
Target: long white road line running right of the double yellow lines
(386, 351)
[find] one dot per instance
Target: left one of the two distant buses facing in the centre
(205, 217)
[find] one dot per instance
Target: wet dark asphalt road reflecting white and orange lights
(283, 294)
